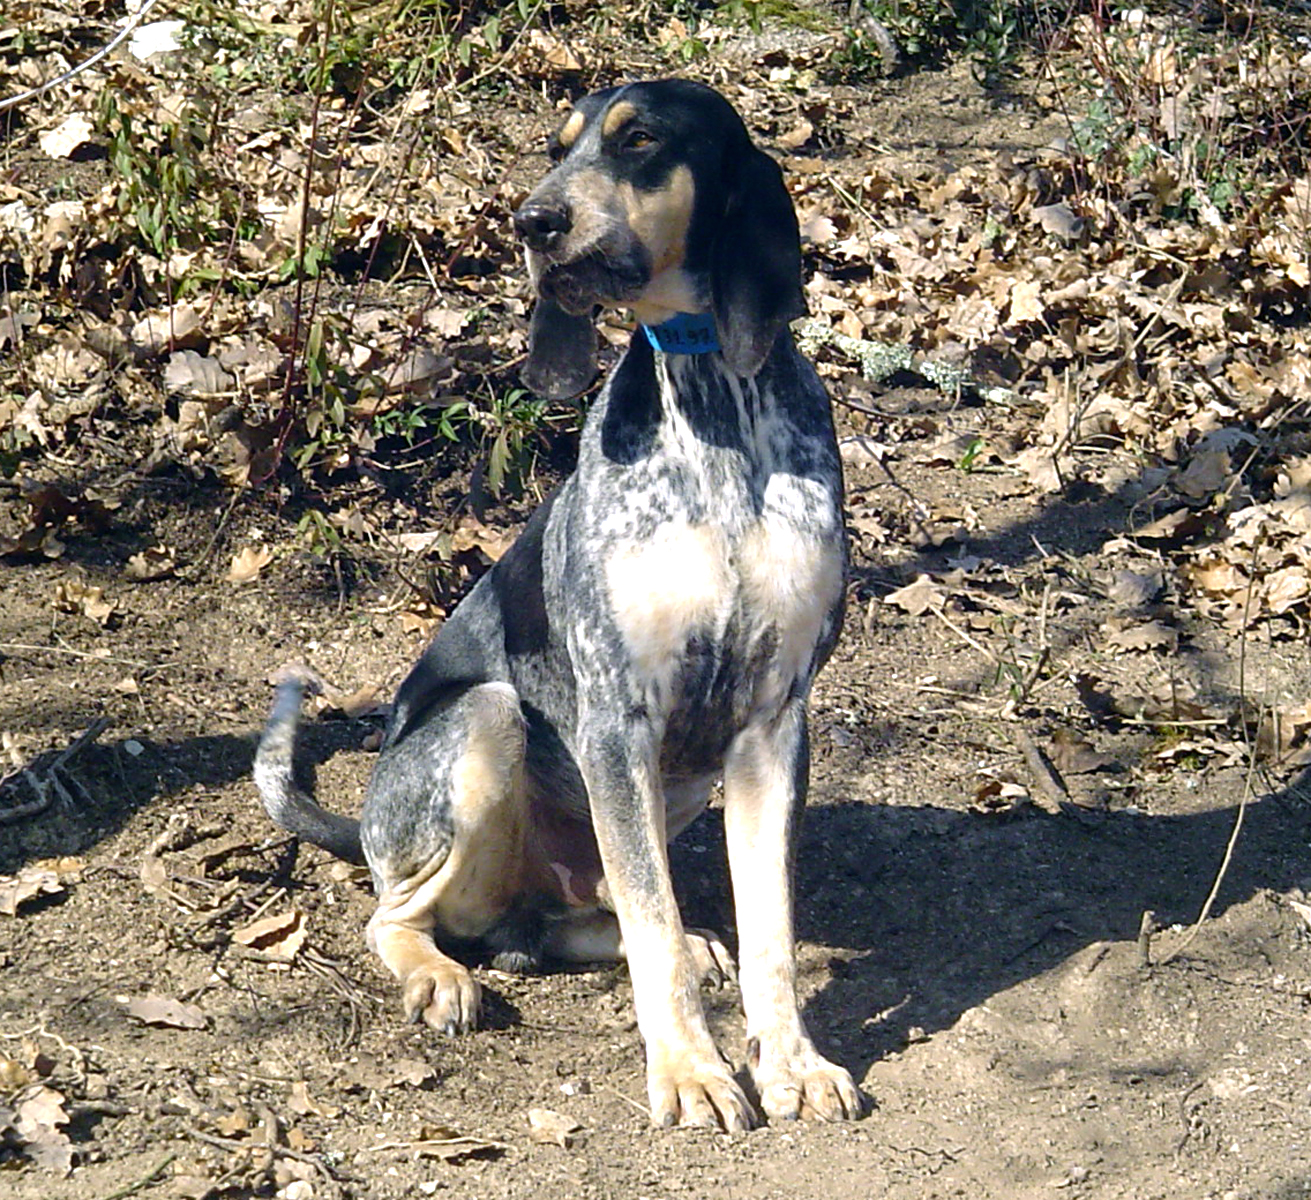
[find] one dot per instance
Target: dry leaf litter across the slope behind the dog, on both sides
(1144, 300)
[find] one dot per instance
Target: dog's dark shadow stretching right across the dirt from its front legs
(930, 912)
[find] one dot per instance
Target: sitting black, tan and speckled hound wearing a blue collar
(656, 628)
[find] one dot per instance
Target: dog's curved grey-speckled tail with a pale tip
(284, 799)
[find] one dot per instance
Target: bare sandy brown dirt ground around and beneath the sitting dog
(976, 963)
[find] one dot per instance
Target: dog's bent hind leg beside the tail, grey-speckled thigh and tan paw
(444, 831)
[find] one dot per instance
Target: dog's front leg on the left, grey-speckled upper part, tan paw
(688, 1080)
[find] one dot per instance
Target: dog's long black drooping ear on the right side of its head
(756, 263)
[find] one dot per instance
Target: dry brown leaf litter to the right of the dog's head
(1160, 343)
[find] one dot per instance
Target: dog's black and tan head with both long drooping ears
(659, 203)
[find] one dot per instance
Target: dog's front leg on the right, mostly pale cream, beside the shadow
(765, 786)
